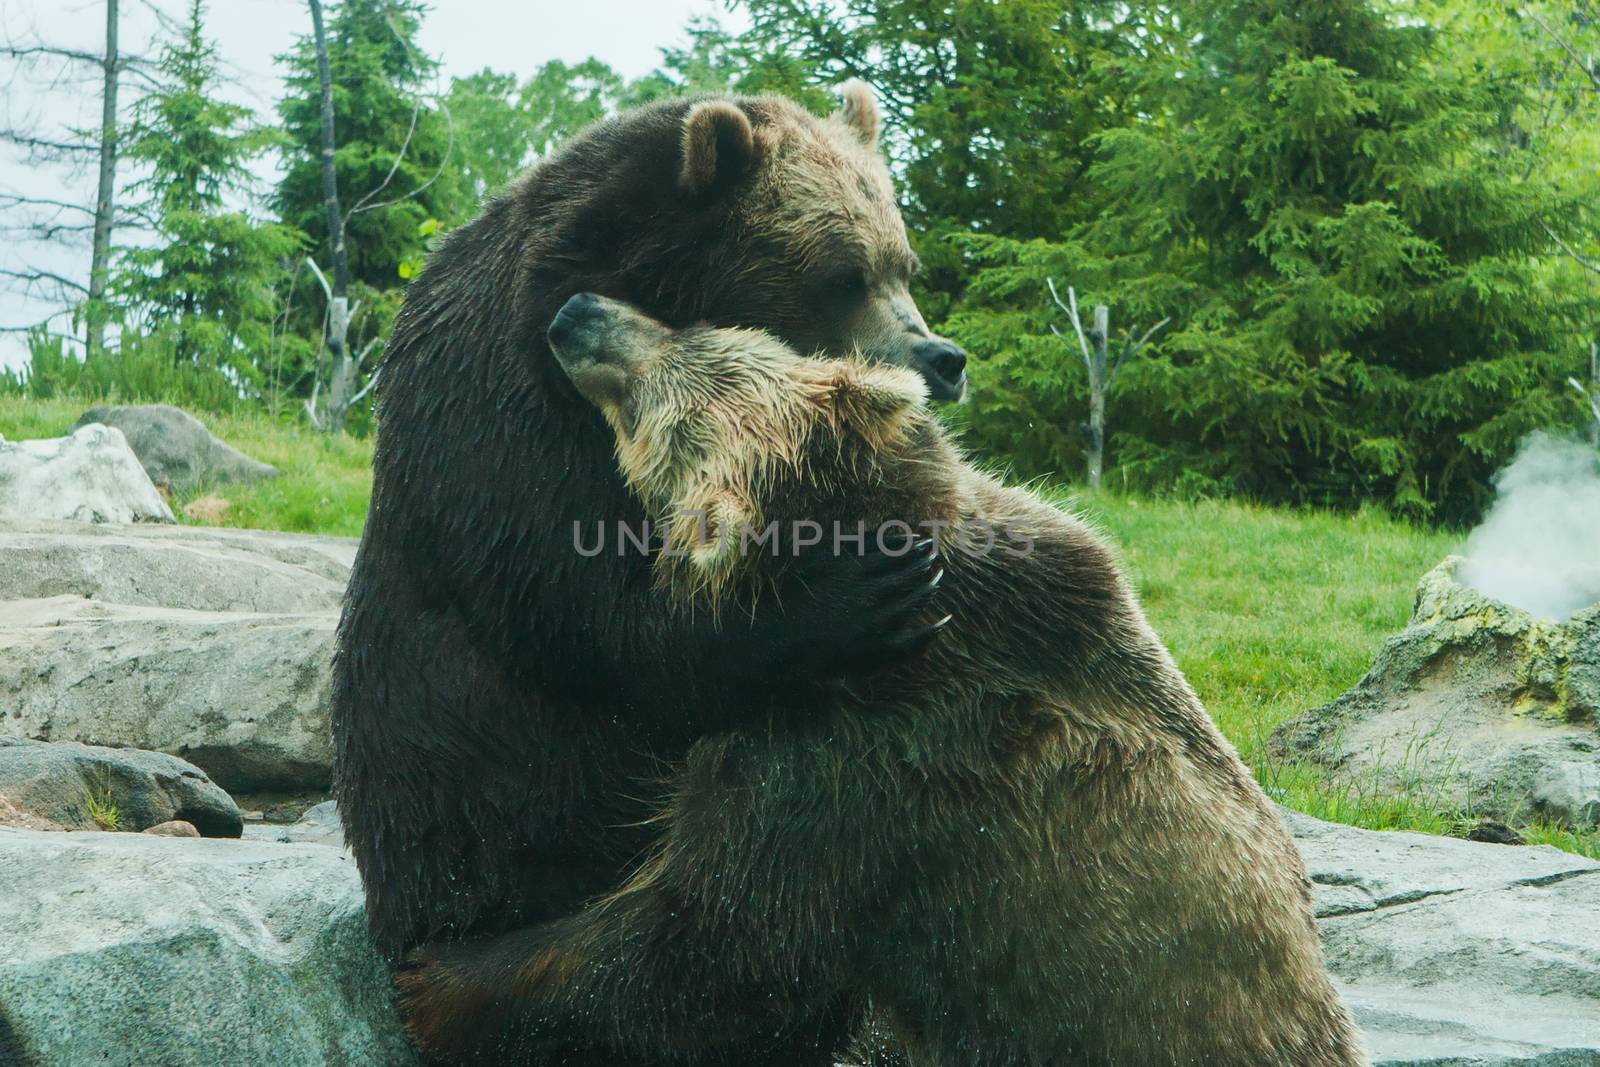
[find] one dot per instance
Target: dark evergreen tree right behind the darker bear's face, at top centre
(991, 108)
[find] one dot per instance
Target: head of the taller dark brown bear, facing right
(767, 217)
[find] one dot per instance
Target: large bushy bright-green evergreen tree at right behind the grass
(1359, 263)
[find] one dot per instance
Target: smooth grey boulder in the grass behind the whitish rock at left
(177, 449)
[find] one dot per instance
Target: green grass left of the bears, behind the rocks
(326, 486)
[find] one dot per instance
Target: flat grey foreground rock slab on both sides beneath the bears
(129, 951)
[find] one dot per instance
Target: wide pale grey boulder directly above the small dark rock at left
(241, 695)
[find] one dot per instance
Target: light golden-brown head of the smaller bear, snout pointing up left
(714, 425)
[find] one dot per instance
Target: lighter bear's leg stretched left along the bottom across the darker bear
(590, 991)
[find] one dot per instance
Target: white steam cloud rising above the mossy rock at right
(1540, 545)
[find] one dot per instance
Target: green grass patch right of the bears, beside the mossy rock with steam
(1271, 612)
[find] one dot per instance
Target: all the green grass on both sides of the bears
(1270, 612)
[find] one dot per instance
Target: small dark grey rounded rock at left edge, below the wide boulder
(60, 781)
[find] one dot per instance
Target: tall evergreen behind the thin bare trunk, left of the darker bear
(394, 151)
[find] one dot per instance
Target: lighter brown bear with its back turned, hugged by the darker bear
(1033, 849)
